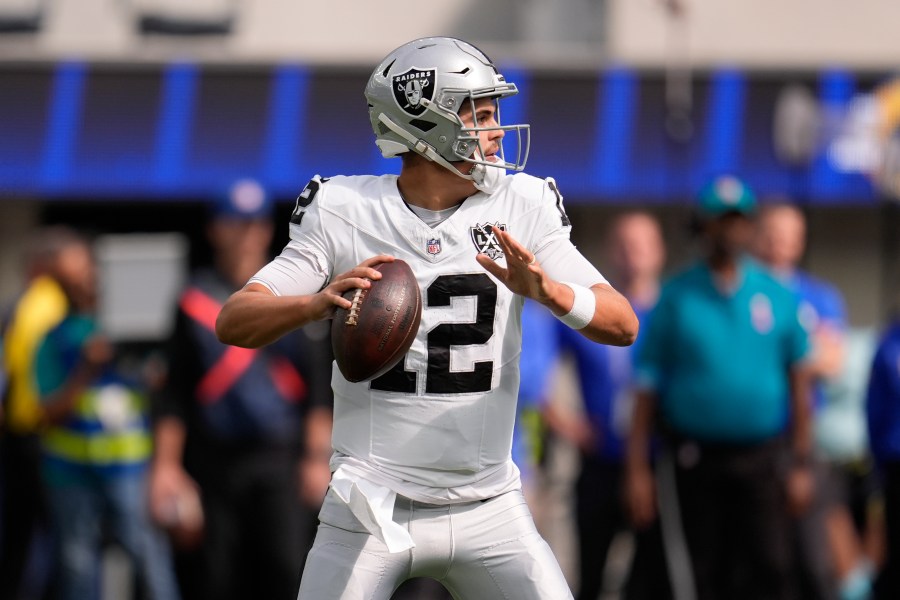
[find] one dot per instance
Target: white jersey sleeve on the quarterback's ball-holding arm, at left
(304, 266)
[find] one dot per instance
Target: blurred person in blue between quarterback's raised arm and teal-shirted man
(636, 259)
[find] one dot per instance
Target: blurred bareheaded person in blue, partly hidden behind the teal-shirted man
(830, 555)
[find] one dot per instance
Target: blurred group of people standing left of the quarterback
(206, 473)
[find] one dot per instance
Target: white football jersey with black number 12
(438, 427)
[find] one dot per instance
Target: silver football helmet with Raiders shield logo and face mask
(415, 96)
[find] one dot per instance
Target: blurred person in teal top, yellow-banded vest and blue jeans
(96, 445)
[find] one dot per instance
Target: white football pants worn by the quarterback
(477, 550)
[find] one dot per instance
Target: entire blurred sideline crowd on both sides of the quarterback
(716, 458)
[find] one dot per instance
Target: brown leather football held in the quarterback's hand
(370, 337)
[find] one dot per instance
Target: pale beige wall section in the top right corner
(770, 34)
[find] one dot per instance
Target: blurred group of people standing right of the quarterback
(722, 444)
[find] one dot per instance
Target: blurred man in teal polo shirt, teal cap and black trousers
(721, 368)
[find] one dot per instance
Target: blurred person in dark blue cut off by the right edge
(883, 418)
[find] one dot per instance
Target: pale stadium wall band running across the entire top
(743, 33)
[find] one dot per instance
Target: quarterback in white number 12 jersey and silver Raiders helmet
(423, 484)
